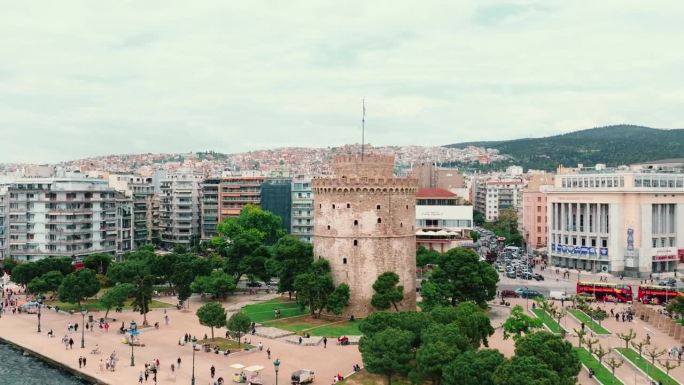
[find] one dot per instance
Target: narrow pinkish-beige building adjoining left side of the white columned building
(533, 218)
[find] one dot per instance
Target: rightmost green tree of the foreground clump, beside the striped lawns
(554, 351)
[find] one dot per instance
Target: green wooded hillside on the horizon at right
(612, 145)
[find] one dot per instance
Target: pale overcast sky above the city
(84, 78)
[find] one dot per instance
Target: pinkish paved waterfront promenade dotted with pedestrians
(162, 344)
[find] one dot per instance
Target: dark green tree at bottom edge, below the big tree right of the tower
(474, 367)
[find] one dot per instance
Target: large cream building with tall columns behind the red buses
(623, 221)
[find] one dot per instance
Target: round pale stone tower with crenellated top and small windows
(364, 220)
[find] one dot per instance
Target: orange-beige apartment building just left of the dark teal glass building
(238, 191)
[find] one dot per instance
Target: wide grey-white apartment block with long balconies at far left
(58, 217)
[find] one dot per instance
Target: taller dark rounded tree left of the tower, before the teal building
(293, 257)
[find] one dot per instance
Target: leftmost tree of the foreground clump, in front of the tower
(387, 352)
